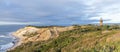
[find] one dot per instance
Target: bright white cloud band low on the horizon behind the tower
(113, 18)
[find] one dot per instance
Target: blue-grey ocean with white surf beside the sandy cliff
(6, 38)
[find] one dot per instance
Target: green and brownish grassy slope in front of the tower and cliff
(88, 39)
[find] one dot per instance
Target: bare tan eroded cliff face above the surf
(39, 34)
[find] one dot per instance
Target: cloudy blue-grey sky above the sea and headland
(58, 12)
